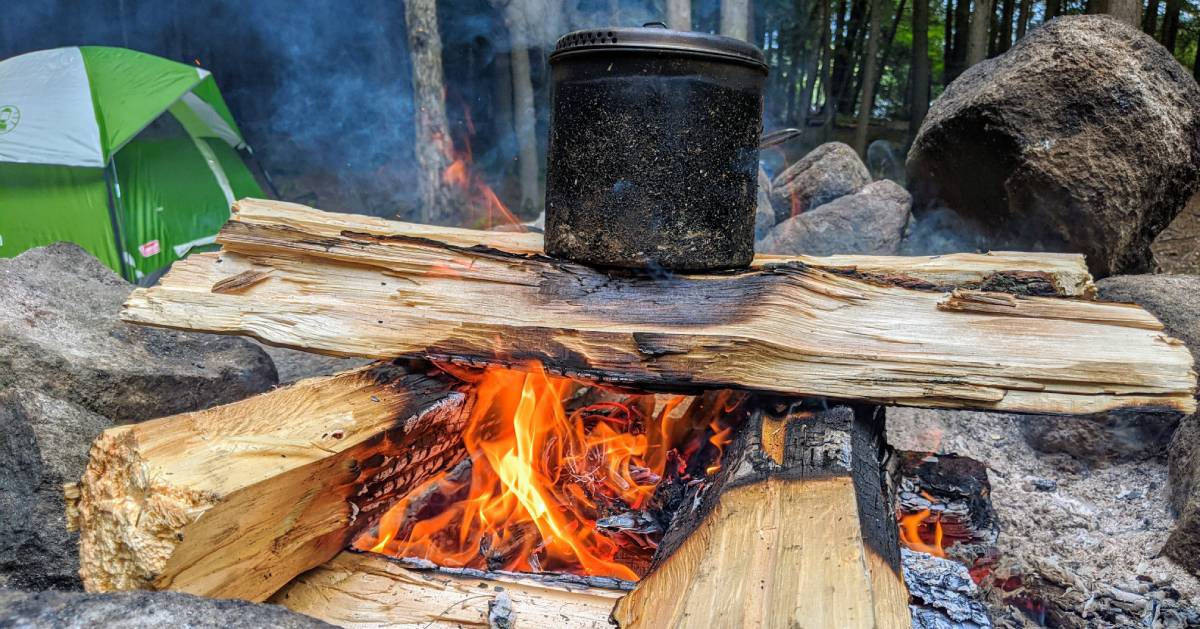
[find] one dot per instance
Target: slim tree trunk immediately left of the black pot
(525, 117)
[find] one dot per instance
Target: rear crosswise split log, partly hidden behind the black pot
(1007, 272)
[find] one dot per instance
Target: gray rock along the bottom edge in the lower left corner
(136, 610)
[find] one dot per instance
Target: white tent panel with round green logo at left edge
(46, 111)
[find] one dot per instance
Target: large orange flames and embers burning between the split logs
(549, 490)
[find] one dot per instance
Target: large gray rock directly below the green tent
(59, 334)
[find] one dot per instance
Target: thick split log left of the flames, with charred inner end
(235, 501)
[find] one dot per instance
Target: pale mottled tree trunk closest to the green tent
(434, 145)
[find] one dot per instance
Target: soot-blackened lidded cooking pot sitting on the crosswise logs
(653, 155)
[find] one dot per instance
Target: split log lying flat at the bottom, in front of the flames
(368, 590)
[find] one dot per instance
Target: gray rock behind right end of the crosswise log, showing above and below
(1175, 301)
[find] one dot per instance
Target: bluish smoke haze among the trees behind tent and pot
(322, 88)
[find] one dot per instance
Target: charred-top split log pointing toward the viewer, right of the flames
(796, 531)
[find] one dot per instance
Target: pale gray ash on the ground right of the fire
(1079, 540)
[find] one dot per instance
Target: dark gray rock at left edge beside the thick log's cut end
(43, 446)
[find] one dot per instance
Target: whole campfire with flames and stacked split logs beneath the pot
(580, 447)
